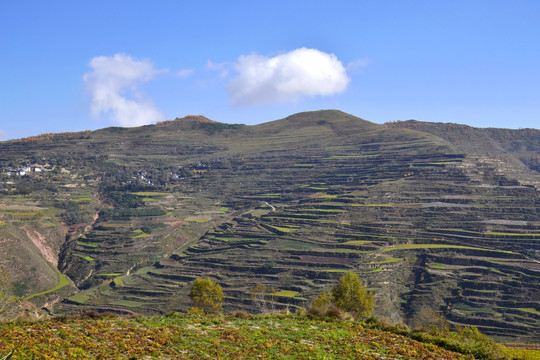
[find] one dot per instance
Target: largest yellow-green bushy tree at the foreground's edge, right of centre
(351, 296)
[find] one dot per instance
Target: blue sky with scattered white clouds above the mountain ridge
(76, 65)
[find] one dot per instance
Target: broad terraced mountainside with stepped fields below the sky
(124, 219)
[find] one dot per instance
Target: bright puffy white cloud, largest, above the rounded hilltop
(287, 77)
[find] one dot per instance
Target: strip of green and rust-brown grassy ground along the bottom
(179, 336)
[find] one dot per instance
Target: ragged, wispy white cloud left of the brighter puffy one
(111, 83)
